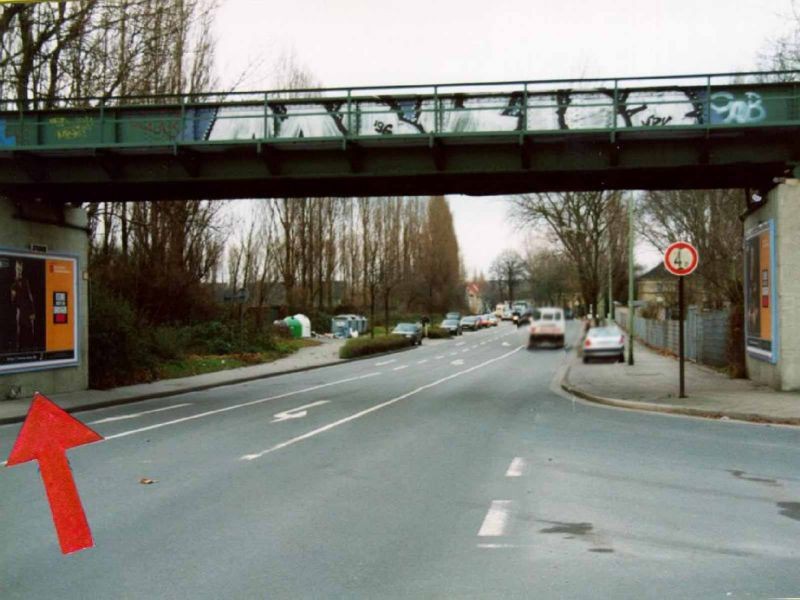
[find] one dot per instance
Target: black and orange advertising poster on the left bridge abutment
(38, 311)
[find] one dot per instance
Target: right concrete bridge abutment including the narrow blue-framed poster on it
(772, 288)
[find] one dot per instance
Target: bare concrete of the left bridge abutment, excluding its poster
(61, 231)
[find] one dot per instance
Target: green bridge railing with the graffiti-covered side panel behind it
(707, 101)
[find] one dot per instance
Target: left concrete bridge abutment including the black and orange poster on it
(51, 243)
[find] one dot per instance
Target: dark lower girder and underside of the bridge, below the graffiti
(478, 165)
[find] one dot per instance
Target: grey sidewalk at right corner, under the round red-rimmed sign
(652, 384)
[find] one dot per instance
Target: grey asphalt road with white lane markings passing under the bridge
(449, 471)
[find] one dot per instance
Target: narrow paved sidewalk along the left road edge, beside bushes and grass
(14, 411)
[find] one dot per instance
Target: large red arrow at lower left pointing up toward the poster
(46, 435)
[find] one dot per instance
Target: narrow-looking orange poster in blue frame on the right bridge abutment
(760, 313)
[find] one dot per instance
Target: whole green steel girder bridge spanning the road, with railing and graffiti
(667, 132)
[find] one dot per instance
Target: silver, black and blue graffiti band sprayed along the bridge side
(404, 115)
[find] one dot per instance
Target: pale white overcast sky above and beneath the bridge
(382, 42)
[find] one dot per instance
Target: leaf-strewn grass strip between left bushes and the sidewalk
(201, 364)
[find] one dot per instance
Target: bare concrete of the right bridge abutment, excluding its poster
(782, 370)
